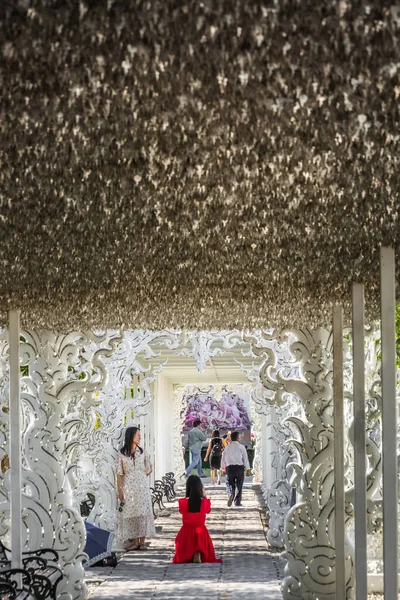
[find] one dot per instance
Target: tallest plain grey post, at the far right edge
(389, 423)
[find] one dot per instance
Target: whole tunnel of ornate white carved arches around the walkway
(80, 391)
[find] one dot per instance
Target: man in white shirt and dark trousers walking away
(234, 461)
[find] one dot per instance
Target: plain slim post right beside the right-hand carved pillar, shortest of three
(340, 590)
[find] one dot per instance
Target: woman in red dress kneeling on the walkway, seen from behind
(193, 542)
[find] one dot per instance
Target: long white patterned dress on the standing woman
(136, 518)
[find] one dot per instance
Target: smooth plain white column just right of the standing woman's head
(163, 427)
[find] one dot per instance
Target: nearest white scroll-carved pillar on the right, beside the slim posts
(309, 525)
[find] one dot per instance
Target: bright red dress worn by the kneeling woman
(193, 535)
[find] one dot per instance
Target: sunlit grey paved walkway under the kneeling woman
(249, 571)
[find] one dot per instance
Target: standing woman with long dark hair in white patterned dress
(133, 469)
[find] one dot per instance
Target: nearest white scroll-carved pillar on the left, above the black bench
(51, 432)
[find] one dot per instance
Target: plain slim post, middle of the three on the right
(360, 457)
